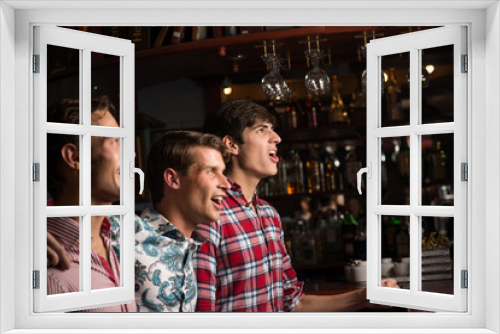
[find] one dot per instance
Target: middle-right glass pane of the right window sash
(437, 170)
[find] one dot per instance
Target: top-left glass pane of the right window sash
(396, 89)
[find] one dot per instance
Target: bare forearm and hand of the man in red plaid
(345, 302)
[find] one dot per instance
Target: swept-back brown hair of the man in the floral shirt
(175, 150)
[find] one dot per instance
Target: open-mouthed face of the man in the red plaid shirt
(258, 155)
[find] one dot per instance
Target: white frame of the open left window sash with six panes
(85, 43)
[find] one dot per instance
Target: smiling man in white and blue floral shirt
(187, 184)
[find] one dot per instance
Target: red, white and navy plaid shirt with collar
(244, 266)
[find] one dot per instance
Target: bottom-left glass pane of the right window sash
(395, 261)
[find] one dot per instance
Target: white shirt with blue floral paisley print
(164, 275)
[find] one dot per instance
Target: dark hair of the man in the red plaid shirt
(232, 117)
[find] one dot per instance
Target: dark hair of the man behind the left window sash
(67, 111)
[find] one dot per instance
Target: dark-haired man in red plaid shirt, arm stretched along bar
(244, 266)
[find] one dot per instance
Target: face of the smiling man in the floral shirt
(203, 187)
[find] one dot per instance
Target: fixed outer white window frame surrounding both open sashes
(16, 21)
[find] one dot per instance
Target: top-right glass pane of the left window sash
(105, 80)
